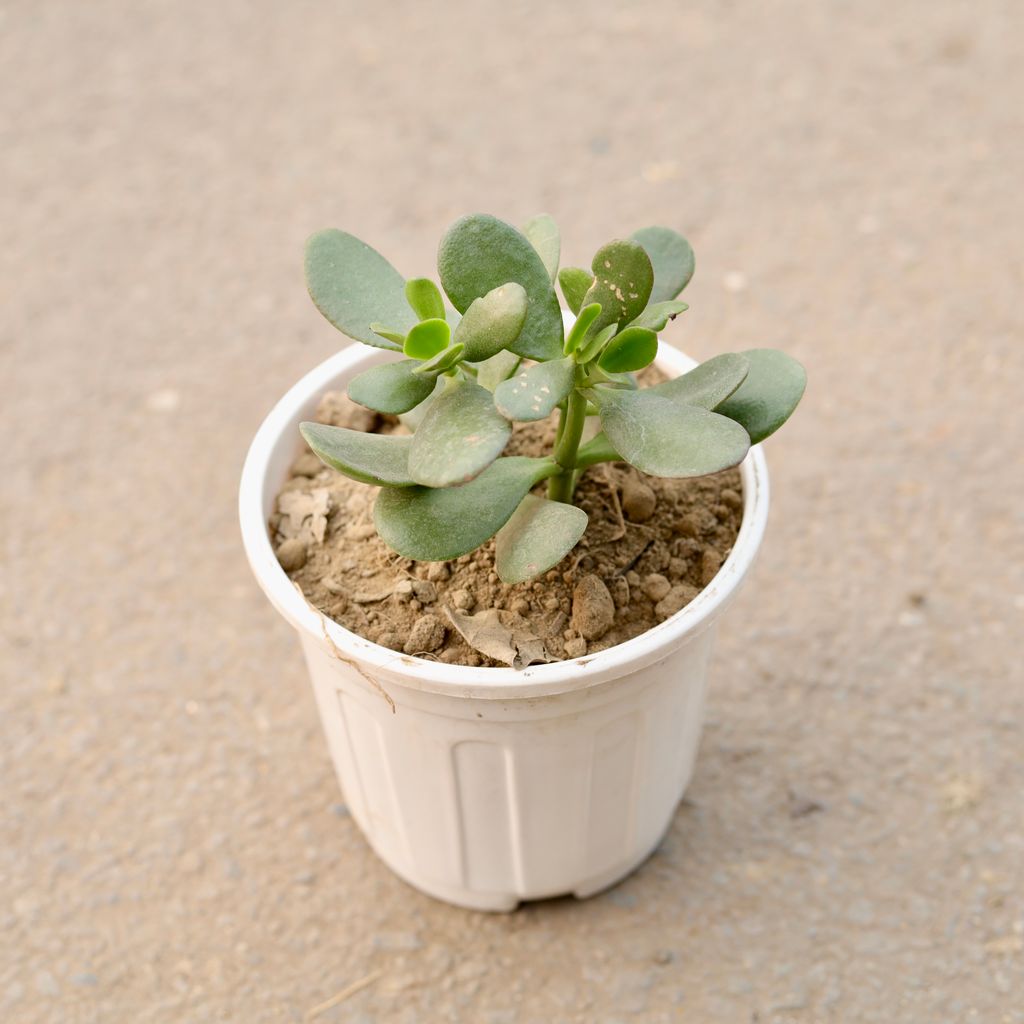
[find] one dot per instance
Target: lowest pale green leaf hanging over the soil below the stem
(539, 536)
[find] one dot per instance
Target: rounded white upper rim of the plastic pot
(459, 680)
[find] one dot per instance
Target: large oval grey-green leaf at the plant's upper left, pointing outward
(354, 286)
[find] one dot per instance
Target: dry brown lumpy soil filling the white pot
(651, 546)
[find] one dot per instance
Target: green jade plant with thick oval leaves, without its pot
(500, 355)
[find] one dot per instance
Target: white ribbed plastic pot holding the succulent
(487, 787)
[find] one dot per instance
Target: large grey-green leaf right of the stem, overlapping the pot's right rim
(669, 439)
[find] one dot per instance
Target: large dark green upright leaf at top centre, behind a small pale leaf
(480, 253)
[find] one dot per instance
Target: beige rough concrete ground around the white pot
(175, 846)
